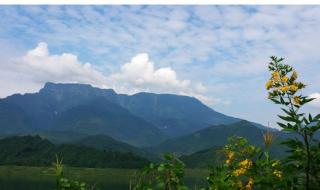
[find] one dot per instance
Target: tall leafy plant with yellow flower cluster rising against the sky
(302, 161)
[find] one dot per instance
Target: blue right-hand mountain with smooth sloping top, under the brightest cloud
(175, 115)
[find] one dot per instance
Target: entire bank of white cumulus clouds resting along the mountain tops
(38, 66)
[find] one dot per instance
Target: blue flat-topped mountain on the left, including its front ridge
(75, 107)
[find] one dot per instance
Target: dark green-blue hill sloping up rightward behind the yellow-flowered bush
(212, 137)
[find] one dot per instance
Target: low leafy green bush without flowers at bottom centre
(164, 176)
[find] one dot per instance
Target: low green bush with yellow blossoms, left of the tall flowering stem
(246, 167)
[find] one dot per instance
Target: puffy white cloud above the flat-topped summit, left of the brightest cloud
(43, 67)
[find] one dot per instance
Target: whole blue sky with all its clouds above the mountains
(218, 54)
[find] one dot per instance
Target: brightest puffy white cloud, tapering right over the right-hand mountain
(140, 74)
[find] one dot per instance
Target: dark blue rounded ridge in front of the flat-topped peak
(100, 116)
